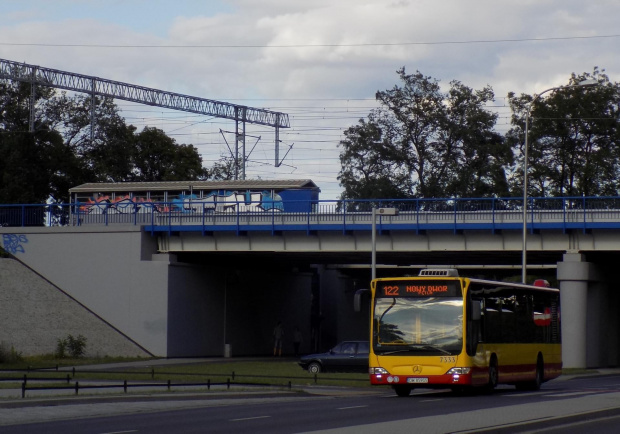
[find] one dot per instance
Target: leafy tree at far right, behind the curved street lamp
(573, 139)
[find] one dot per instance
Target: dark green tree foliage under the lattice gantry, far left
(63, 152)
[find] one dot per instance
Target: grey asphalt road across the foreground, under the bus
(568, 405)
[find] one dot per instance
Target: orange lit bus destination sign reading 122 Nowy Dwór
(419, 288)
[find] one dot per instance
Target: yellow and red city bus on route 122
(439, 330)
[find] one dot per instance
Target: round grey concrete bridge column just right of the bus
(574, 275)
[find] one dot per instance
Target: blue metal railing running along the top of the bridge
(490, 214)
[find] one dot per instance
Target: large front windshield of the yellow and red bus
(418, 325)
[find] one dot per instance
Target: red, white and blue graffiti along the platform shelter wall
(229, 202)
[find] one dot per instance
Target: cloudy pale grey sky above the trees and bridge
(319, 61)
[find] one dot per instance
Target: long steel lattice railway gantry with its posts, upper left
(95, 86)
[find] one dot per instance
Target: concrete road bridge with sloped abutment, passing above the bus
(182, 283)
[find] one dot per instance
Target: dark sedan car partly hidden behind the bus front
(346, 356)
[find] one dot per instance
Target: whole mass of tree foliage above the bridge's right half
(425, 142)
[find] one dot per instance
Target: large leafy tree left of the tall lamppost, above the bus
(423, 142)
